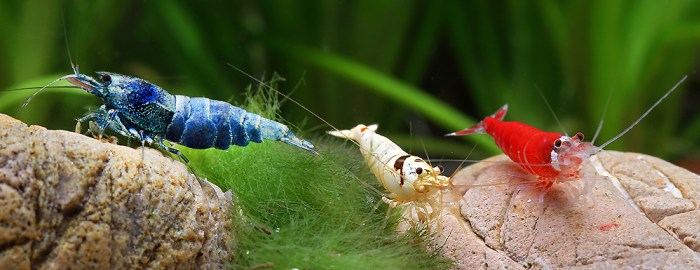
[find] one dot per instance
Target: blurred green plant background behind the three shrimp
(418, 68)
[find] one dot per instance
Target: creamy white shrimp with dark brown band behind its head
(409, 179)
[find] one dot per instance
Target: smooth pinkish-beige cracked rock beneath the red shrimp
(642, 213)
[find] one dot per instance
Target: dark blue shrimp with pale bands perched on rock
(136, 108)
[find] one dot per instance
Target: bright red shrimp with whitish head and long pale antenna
(549, 156)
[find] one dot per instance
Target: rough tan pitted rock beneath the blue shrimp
(70, 201)
